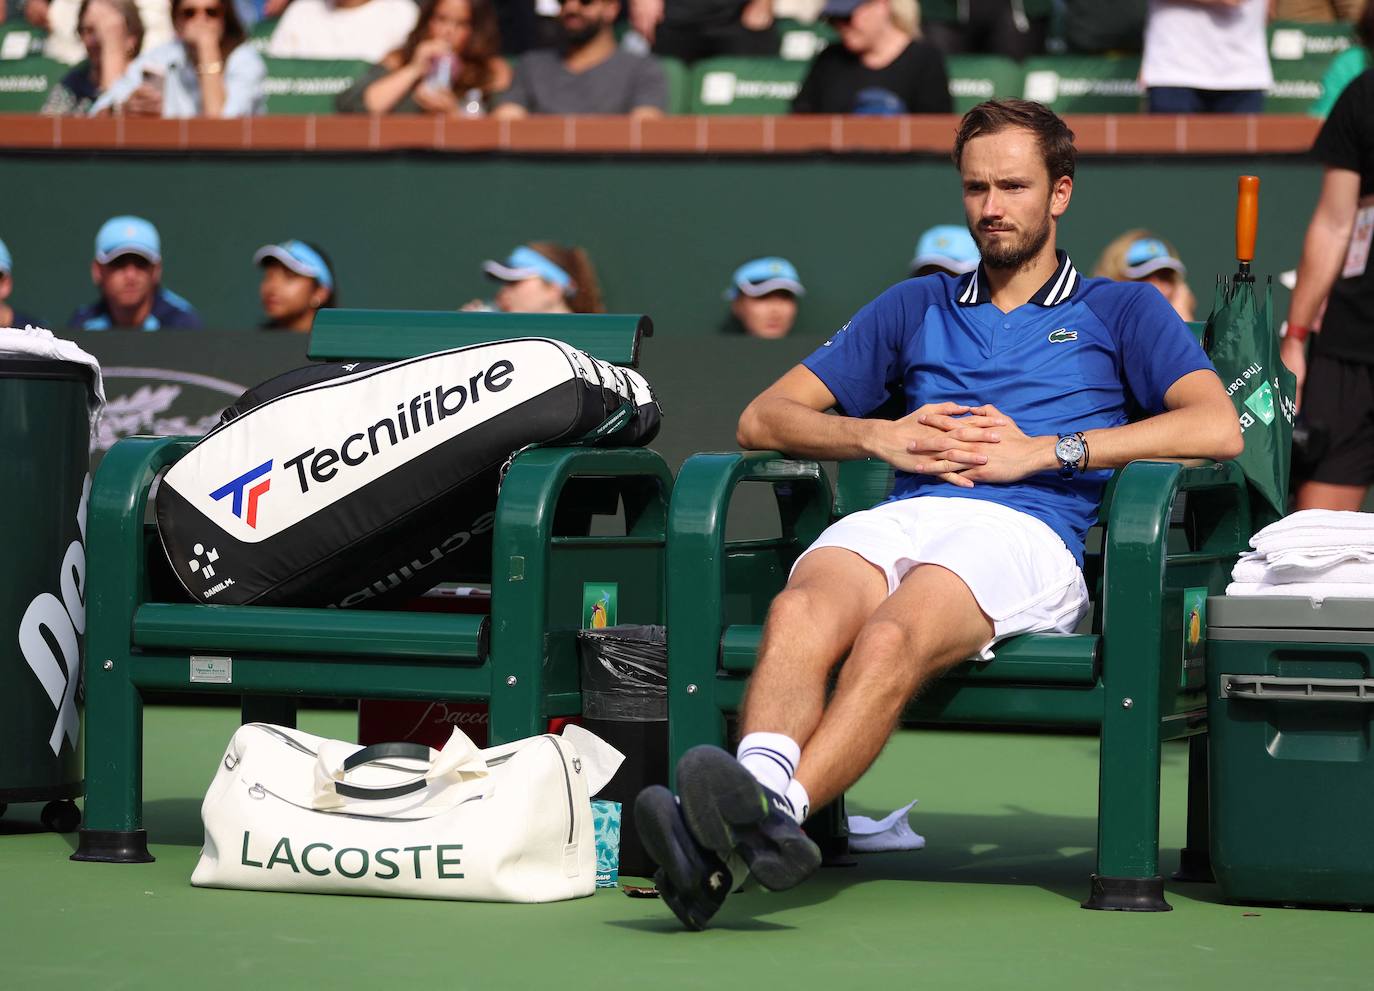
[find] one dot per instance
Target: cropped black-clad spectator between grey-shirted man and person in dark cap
(699, 30)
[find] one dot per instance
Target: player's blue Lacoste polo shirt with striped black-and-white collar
(1082, 354)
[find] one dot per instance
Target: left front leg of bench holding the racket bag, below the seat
(113, 823)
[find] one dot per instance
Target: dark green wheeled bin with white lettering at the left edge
(46, 435)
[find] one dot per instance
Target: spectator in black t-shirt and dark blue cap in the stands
(879, 67)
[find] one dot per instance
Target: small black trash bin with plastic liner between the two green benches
(626, 704)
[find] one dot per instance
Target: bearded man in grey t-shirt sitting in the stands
(590, 75)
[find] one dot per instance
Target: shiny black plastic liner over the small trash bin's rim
(624, 673)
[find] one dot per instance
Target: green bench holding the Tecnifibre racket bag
(145, 637)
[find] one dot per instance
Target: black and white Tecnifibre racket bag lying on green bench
(361, 485)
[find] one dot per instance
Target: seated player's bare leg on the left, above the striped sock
(811, 626)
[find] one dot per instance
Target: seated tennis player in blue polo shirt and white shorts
(1022, 381)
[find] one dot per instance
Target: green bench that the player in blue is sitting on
(1169, 535)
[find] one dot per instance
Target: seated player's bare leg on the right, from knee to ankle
(928, 626)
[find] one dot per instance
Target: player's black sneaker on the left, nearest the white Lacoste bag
(692, 880)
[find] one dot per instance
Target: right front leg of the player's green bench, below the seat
(1129, 810)
